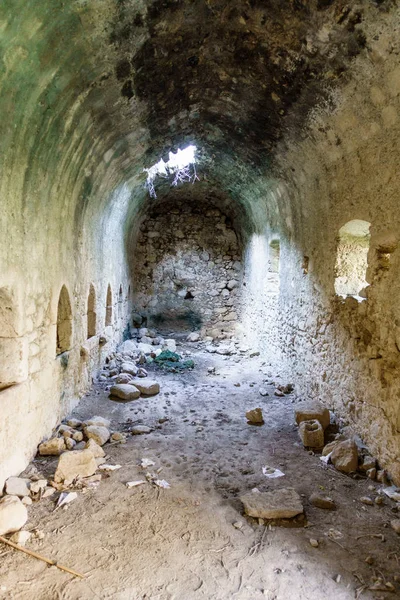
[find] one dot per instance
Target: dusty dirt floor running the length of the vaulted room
(181, 543)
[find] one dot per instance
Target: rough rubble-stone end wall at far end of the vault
(188, 271)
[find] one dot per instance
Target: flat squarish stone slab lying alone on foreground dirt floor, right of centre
(284, 503)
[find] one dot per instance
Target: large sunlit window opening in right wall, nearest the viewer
(351, 260)
